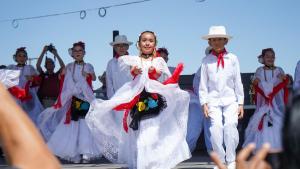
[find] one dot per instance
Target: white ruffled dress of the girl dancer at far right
(268, 116)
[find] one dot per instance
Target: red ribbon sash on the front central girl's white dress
(129, 105)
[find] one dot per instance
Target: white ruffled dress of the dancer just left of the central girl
(70, 141)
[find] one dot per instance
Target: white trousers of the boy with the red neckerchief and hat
(223, 129)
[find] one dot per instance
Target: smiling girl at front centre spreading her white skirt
(158, 116)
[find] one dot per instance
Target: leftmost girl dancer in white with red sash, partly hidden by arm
(28, 81)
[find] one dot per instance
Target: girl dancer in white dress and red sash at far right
(271, 95)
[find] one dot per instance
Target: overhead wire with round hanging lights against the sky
(82, 13)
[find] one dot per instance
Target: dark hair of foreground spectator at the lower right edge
(291, 134)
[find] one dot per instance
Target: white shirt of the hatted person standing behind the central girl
(116, 76)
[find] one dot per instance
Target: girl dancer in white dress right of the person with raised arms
(63, 125)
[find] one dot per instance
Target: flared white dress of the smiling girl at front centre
(160, 141)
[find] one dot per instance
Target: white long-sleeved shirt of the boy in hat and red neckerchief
(220, 86)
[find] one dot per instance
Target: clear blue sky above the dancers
(179, 25)
